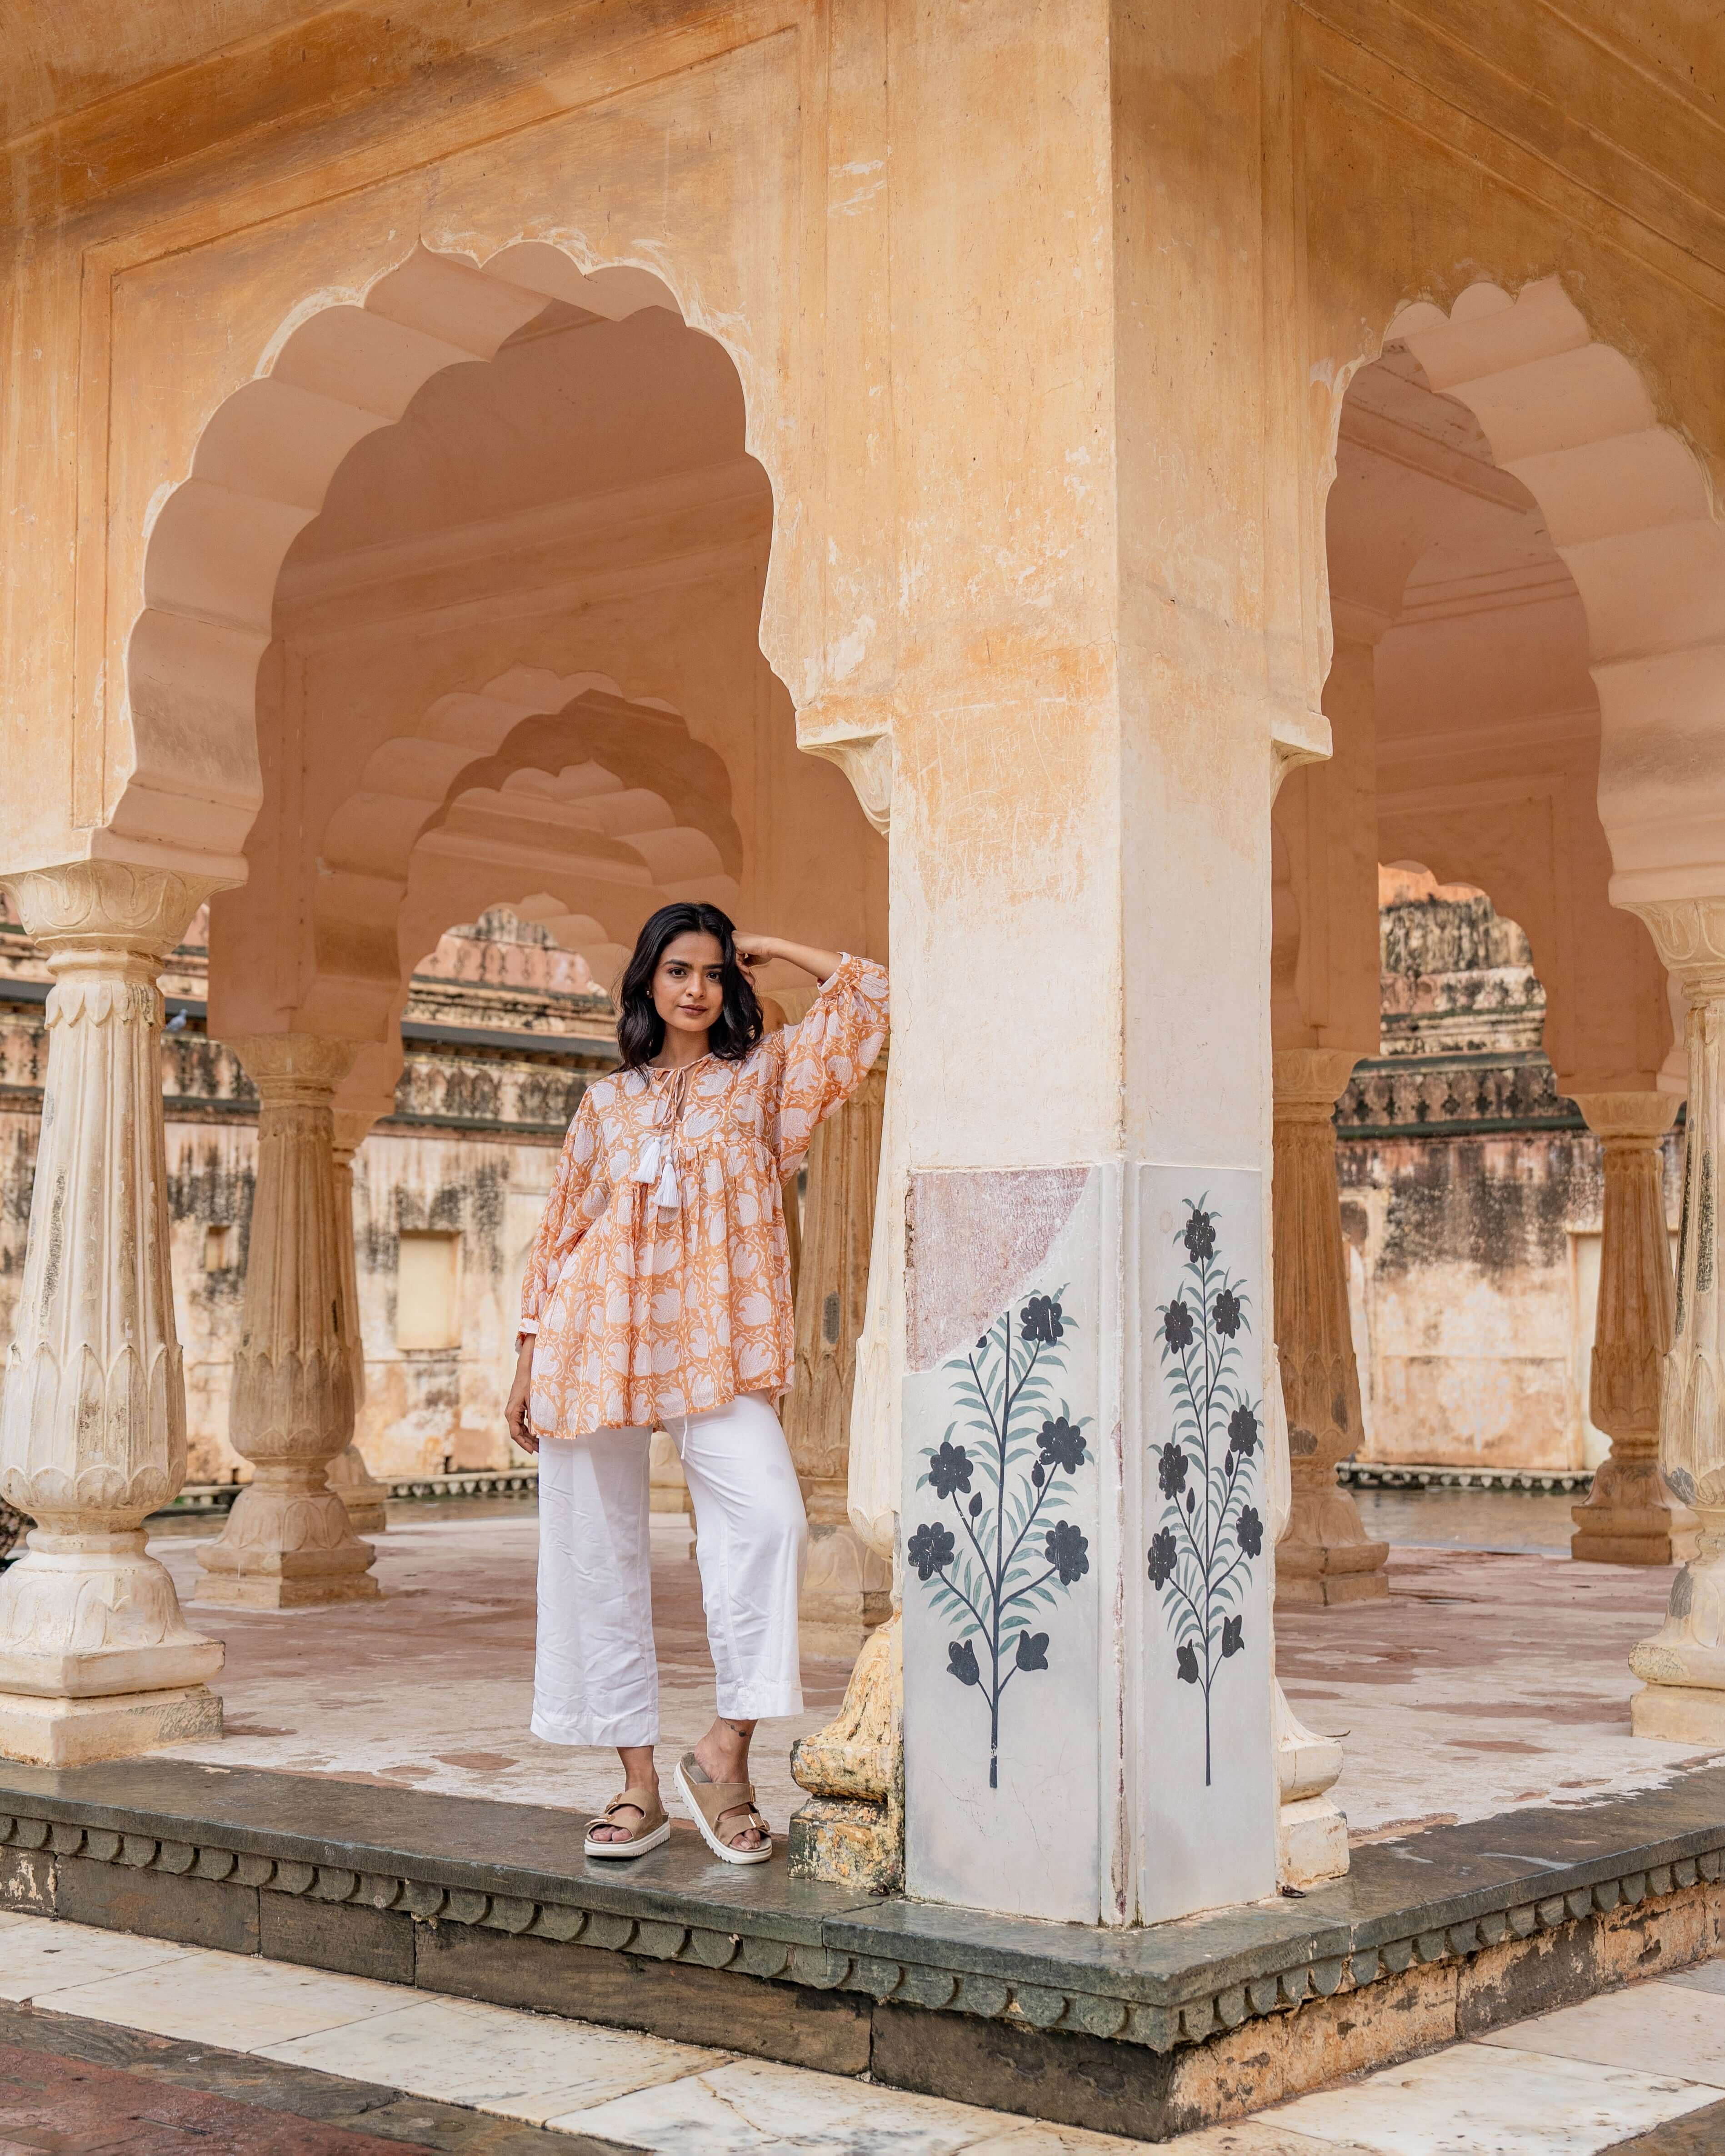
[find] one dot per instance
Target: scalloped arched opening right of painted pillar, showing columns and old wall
(1521, 572)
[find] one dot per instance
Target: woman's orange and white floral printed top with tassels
(661, 1280)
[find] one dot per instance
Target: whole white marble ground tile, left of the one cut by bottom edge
(523, 2067)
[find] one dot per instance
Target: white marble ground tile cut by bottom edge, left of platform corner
(756, 2110)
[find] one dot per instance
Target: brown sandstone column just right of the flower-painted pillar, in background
(1325, 1556)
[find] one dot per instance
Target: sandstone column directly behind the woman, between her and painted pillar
(846, 1590)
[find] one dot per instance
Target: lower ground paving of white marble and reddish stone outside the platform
(133, 2045)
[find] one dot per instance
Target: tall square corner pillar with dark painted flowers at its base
(1096, 693)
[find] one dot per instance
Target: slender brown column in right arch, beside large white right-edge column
(1629, 1517)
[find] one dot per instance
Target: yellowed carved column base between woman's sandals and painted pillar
(851, 1832)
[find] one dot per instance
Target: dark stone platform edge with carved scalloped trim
(1433, 1937)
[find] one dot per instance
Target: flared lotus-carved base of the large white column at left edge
(87, 1616)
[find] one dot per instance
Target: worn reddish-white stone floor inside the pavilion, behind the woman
(1491, 1676)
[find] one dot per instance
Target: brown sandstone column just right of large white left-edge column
(290, 1543)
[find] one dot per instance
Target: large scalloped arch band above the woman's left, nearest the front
(335, 372)
